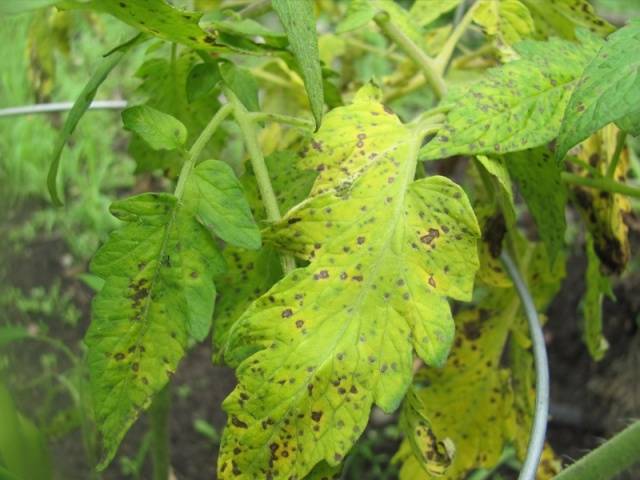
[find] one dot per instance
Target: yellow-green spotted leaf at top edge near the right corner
(562, 18)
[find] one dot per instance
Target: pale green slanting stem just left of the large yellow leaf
(248, 132)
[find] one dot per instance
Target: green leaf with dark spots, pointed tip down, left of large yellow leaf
(158, 292)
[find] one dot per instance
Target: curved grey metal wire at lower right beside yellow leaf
(539, 427)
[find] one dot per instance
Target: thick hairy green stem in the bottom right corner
(610, 458)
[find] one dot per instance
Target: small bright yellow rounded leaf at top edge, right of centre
(508, 20)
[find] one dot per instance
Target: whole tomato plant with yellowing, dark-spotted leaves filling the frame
(324, 261)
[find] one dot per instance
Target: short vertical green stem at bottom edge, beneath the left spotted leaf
(159, 413)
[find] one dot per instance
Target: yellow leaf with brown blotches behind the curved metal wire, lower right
(477, 401)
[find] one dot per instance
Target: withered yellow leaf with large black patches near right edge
(605, 213)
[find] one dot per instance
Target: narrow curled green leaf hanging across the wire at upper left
(80, 106)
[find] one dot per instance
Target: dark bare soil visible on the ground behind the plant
(590, 401)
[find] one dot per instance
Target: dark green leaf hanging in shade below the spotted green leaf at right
(538, 177)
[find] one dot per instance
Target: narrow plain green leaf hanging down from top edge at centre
(299, 22)
